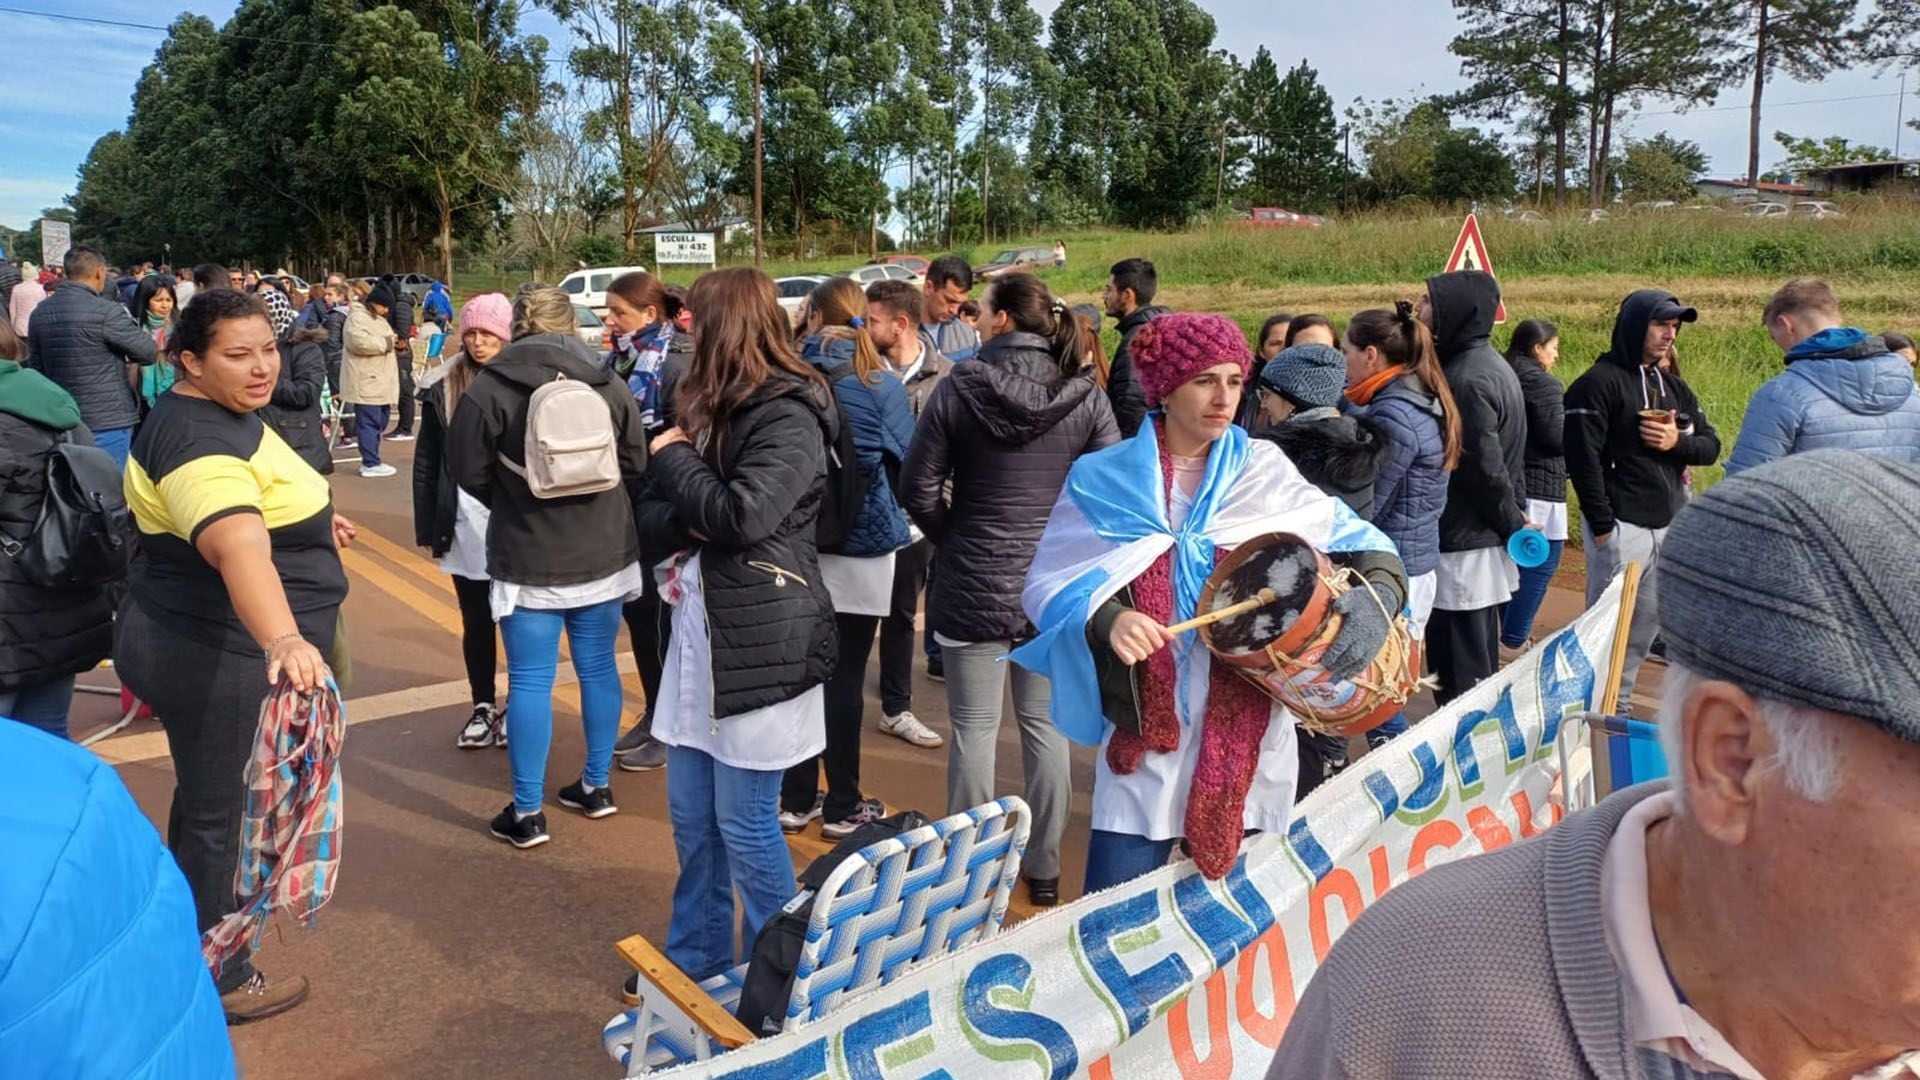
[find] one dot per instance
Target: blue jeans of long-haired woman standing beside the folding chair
(727, 833)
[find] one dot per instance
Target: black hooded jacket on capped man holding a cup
(1614, 472)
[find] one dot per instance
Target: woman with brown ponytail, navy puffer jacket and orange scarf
(1393, 376)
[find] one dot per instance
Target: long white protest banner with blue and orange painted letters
(1174, 975)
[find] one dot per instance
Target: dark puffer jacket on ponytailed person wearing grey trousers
(1005, 430)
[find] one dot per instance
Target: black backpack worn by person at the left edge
(85, 531)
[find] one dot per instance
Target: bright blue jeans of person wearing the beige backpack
(533, 643)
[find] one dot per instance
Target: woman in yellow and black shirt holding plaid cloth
(235, 587)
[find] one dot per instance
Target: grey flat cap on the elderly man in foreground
(1802, 583)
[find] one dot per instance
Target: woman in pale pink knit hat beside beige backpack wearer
(452, 524)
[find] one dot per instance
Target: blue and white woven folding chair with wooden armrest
(882, 912)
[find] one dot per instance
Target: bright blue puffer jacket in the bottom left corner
(101, 970)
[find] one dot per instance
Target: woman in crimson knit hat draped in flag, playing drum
(1191, 752)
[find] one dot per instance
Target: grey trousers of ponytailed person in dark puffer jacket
(976, 691)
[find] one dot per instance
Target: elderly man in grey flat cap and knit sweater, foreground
(1750, 918)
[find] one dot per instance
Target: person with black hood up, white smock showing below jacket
(1487, 493)
